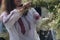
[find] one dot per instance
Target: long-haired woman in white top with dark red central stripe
(19, 23)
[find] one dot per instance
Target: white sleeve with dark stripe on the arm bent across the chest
(12, 17)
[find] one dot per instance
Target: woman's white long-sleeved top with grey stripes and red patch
(14, 28)
